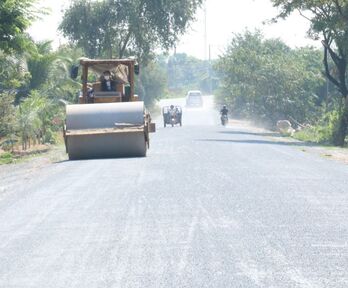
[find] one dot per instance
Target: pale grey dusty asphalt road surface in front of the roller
(210, 206)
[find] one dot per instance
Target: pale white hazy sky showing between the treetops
(223, 18)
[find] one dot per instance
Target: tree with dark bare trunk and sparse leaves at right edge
(329, 20)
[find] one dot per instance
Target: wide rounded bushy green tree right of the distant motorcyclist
(265, 79)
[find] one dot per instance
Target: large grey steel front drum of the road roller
(88, 139)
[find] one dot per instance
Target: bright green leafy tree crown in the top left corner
(15, 17)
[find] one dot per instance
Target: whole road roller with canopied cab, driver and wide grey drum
(109, 120)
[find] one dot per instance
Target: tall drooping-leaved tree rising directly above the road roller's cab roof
(117, 28)
